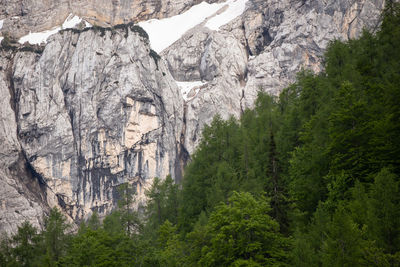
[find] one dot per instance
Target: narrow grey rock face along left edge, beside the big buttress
(21, 195)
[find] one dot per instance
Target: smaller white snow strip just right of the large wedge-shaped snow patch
(234, 10)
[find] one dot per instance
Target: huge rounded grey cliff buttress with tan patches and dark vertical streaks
(93, 111)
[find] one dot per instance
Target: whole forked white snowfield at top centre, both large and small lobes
(165, 32)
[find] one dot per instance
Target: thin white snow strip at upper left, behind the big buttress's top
(41, 37)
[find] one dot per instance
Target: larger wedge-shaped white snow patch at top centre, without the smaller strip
(164, 32)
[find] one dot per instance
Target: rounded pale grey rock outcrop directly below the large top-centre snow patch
(220, 60)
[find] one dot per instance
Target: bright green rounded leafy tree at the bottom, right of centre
(243, 234)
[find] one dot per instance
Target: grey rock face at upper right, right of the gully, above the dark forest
(296, 34)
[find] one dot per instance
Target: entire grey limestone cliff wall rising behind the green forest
(95, 108)
